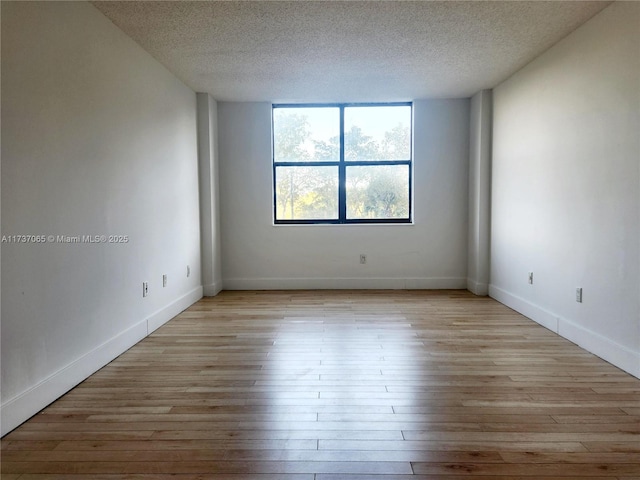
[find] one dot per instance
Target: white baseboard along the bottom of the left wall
(23, 406)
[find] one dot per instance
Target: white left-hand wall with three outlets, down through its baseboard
(97, 138)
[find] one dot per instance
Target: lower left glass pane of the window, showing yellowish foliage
(306, 193)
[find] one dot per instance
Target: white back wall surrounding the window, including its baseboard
(430, 254)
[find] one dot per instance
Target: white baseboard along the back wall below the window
(345, 283)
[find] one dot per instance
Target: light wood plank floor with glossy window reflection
(374, 385)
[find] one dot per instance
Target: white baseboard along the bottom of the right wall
(593, 342)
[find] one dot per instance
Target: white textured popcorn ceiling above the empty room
(345, 51)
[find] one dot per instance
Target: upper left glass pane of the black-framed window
(306, 134)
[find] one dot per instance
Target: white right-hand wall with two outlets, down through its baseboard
(566, 187)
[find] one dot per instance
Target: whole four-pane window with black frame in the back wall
(347, 163)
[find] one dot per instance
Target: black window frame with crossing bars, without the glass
(342, 168)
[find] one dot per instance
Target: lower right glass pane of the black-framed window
(377, 192)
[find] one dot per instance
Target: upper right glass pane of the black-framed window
(377, 133)
